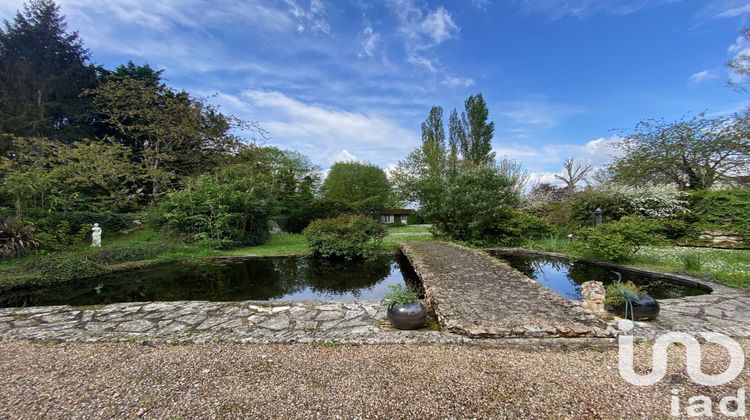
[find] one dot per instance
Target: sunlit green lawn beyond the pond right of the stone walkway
(725, 266)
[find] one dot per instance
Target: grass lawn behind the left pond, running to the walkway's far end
(15, 272)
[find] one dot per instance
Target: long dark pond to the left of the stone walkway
(272, 278)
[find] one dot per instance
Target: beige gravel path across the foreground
(125, 380)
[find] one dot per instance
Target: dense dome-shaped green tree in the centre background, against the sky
(361, 185)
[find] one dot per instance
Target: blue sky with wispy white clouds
(353, 79)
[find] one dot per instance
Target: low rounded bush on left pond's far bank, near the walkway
(346, 237)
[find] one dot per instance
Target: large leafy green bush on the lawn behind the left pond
(213, 209)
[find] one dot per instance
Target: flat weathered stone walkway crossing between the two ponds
(476, 295)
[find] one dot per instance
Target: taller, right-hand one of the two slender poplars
(477, 146)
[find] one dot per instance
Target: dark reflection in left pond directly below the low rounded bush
(341, 277)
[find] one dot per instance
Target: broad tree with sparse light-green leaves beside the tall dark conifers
(171, 133)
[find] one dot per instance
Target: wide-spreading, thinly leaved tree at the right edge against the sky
(693, 154)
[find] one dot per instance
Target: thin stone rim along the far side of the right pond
(682, 279)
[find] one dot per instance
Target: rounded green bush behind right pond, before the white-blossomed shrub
(616, 241)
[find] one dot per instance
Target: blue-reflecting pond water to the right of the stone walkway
(565, 278)
